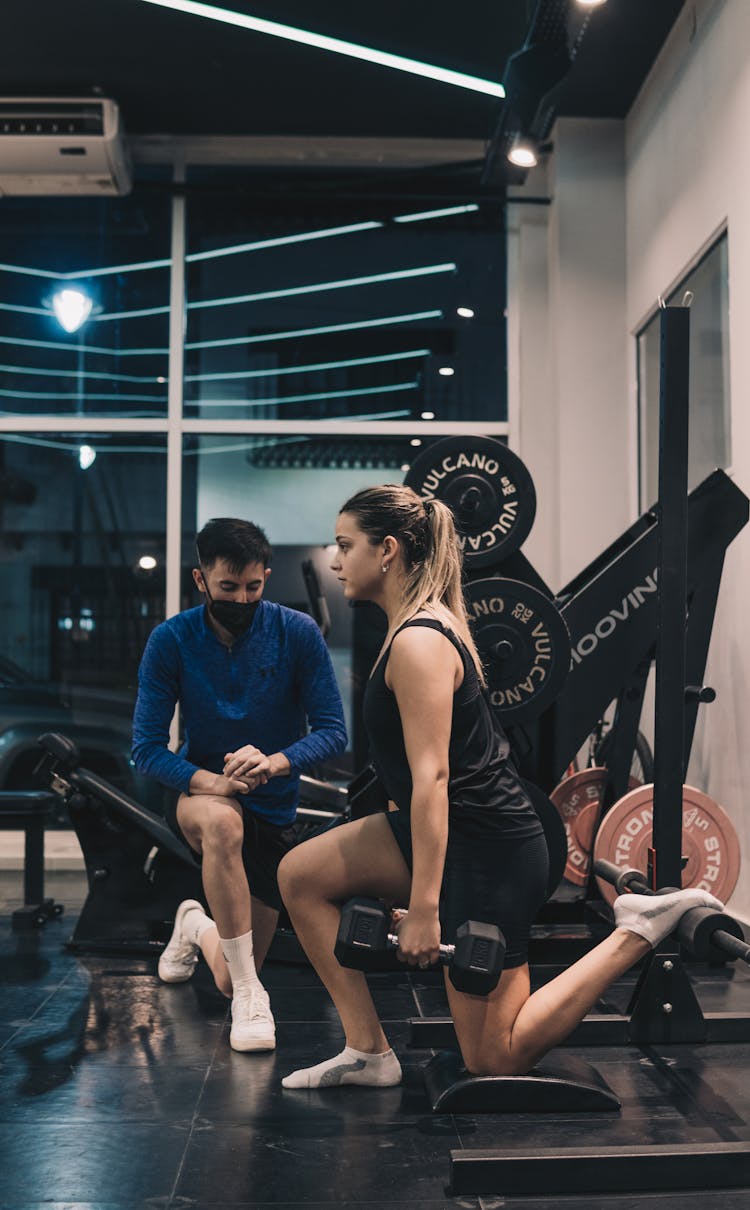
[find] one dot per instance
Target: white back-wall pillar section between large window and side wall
(569, 348)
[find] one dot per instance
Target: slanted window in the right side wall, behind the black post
(709, 377)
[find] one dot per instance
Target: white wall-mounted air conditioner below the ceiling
(62, 147)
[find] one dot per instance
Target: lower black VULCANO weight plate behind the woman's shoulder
(524, 646)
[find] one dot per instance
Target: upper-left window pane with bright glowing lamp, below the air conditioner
(117, 362)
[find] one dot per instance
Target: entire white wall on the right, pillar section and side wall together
(632, 206)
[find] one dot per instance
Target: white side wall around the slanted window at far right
(688, 176)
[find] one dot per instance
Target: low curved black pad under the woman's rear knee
(563, 1084)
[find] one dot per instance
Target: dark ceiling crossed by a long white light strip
(178, 74)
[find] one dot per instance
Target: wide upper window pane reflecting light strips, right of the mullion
(305, 315)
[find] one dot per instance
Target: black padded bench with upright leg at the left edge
(30, 811)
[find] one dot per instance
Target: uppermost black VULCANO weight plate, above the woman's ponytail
(487, 487)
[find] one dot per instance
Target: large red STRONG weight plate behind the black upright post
(709, 842)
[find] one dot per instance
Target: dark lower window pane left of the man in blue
(83, 558)
